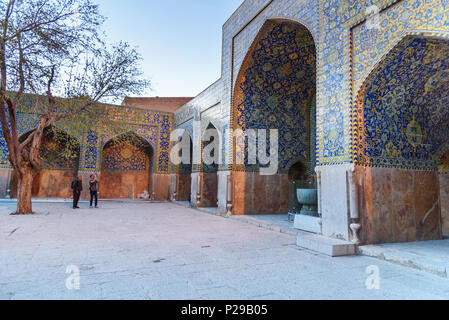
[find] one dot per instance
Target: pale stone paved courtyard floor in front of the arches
(166, 251)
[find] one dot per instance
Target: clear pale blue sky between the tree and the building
(180, 40)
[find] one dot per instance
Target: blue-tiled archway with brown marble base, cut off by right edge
(401, 132)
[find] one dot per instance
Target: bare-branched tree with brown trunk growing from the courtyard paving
(66, 68)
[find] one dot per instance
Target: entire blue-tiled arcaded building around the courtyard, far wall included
(362, 116)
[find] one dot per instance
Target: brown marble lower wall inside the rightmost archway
(399, 205)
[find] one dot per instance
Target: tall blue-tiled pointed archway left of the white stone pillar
(275, 89)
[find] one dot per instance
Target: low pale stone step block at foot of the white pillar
(327, 246)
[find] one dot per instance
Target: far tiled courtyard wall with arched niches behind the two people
(130, 159)
